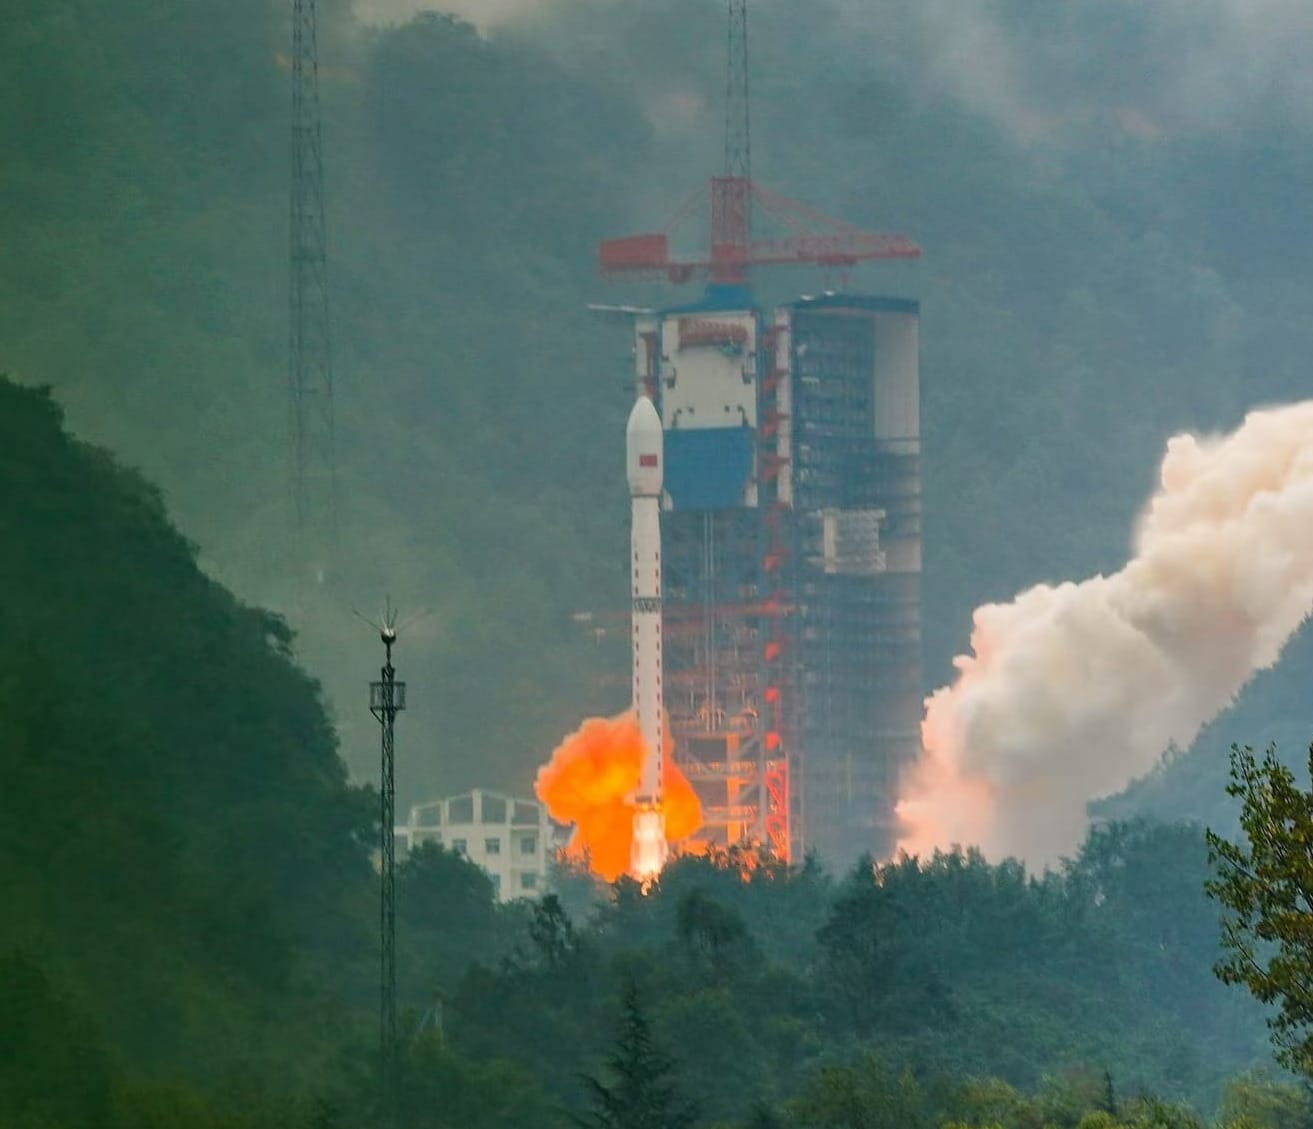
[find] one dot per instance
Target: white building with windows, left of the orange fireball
(510, 838)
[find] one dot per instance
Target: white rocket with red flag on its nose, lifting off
(645, 460)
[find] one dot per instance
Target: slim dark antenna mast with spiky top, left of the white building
(387, 700)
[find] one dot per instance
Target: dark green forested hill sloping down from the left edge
(177, 832)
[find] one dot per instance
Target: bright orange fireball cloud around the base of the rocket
(589, 783)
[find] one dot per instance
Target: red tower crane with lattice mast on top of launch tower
(812, 237)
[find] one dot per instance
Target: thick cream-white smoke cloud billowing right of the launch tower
(1073, 691)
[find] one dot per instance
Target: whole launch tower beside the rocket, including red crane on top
(791, 519)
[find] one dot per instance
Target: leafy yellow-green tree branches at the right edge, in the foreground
(1265, 887)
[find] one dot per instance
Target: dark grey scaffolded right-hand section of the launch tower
(857, 510)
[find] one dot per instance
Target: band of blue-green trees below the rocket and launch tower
(951, 969)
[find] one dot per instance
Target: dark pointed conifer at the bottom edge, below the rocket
(643, 1094)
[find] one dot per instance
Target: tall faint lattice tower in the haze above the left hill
(311, 356)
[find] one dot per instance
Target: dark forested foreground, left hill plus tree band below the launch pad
(188, 931)
